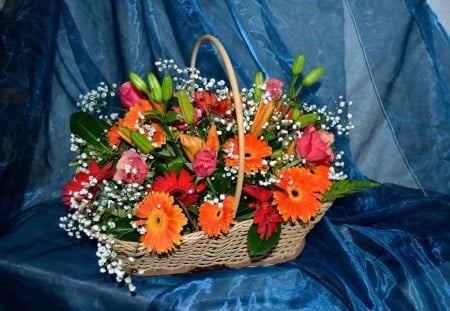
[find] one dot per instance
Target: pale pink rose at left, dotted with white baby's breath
(131, 168)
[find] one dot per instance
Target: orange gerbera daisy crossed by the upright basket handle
(255, 152)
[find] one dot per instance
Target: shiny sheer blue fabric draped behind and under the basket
(388, 248)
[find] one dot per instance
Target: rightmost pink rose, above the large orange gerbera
(315, 146)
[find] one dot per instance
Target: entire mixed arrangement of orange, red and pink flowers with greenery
(166, 163)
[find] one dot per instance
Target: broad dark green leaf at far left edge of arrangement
(88, 128)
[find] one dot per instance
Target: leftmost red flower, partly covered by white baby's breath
(82, 181)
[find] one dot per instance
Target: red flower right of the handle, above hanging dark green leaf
(266, 216)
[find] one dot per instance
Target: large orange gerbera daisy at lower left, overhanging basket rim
(163, 222)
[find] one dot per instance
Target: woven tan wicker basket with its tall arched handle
(200, 252)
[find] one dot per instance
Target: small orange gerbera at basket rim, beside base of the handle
(216, 217)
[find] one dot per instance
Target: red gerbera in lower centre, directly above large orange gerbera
(182, 189)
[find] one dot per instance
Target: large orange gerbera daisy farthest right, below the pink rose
(300, 198)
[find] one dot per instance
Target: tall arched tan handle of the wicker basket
(237, 104)
